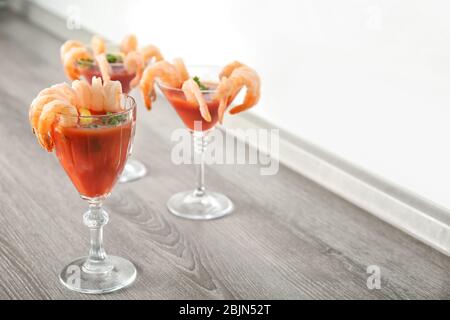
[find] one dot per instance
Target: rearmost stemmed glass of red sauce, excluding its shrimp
(134, 169)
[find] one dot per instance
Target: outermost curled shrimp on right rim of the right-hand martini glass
(245, 77)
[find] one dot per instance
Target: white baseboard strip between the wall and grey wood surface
(403, 209)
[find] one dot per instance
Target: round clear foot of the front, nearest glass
(75, 278)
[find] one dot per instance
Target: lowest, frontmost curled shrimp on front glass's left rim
(69, 118)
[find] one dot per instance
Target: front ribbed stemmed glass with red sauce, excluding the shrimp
(93, 154)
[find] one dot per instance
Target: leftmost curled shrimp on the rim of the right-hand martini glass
(163, 70)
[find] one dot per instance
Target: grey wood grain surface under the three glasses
(288, 237)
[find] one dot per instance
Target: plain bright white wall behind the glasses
(368, 80)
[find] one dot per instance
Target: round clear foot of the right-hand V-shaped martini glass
(208, 206)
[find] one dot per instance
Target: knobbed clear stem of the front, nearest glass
(95, 218)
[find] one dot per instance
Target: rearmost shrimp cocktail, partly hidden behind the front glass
(124, 64)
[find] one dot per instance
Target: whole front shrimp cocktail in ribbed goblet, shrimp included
(91, 130)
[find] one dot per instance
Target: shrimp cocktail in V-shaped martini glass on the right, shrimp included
(201, 101)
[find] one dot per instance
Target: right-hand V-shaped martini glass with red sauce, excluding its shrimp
(198, 204)
